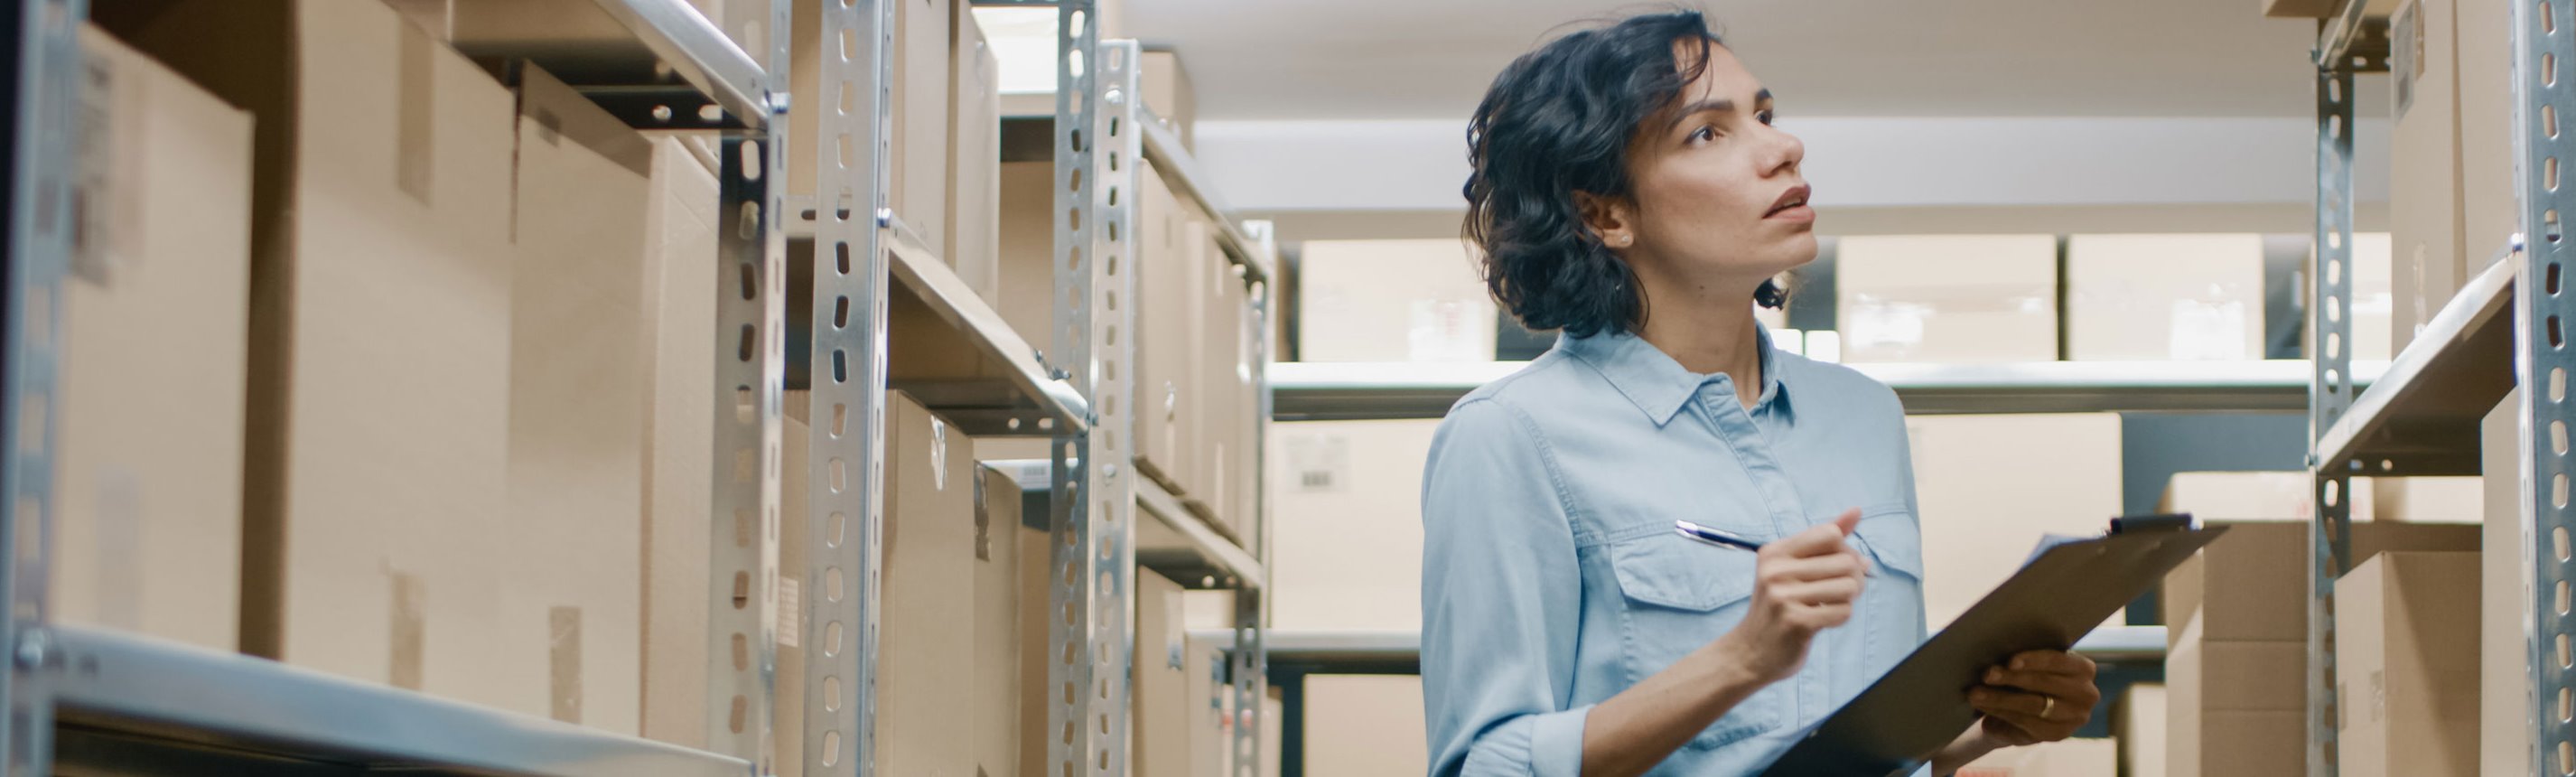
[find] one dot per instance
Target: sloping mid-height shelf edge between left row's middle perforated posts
(949, 295)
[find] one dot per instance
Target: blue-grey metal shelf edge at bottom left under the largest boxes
(261, 706)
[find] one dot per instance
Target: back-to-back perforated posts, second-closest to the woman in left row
(1094, 554)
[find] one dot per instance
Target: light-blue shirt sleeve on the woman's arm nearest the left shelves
(1501, 601)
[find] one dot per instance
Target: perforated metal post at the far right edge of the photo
(2544, 361)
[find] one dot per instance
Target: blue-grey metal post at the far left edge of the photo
(45, 120)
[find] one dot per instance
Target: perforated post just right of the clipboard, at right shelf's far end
(2330, 398)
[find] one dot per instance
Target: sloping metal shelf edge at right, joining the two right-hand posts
(2479, 305)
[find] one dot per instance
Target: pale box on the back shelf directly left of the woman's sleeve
(1336, 482)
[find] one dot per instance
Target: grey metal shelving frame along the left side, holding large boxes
(140, 706)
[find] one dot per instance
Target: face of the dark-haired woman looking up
(1717, 189)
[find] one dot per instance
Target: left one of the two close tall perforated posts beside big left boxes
(751, 377)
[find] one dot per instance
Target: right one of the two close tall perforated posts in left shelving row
(846, 526)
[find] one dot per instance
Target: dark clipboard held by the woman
(1908, 717)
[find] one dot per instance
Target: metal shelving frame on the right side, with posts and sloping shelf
(2423, 416)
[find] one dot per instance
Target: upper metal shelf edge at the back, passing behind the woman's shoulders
(1428, 390)
